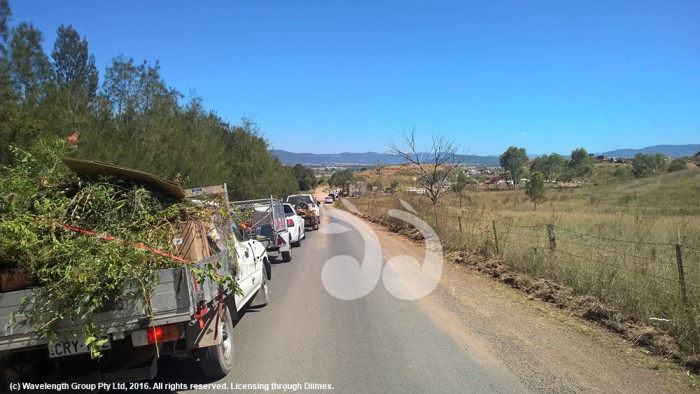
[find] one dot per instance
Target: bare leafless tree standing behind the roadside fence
(433, 169)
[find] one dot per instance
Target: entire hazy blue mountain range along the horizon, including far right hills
(372, 158)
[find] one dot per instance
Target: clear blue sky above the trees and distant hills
(345, 76)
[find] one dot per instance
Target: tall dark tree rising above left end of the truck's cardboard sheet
(76, 78)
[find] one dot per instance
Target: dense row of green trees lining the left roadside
(128, 116)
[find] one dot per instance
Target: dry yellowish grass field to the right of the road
(614, 241)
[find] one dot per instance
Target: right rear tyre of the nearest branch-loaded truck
(217, 361)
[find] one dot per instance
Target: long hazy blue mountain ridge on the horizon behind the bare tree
(362, 159)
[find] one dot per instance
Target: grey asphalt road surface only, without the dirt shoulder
(306, 338)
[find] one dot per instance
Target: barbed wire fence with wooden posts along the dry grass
(650, 278)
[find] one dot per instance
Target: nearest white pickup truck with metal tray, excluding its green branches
(191, 315)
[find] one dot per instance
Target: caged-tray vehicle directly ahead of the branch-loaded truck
(265, 221)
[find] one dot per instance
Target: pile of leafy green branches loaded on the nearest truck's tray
(80, 273)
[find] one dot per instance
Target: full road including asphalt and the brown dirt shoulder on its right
(470, 335)
